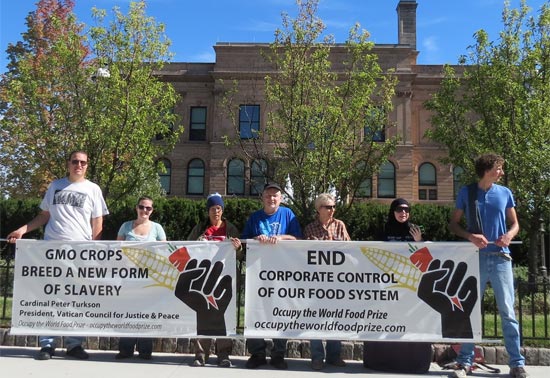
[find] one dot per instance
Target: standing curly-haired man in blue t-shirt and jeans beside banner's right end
(487, 213)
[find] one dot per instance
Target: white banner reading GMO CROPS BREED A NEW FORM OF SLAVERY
(122, 288)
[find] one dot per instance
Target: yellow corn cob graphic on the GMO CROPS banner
(160, 269)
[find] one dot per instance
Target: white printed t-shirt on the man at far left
(72, 205)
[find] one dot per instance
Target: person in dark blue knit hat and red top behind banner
(216, 228)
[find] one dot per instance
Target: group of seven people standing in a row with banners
(73, 209)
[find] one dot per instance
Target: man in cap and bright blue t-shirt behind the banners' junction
(269, 225)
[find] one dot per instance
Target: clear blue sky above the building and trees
(444, 28)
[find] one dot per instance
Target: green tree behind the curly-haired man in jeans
(498, 101)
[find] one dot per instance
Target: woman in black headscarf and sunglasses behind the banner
(398, 227)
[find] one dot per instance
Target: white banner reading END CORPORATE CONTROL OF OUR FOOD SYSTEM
(363, 291)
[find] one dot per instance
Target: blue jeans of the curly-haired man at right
(498, 271)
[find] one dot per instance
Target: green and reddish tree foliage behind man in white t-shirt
(96, 90)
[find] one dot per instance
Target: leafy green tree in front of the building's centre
(325, 103)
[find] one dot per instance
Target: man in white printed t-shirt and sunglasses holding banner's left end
(72, 209)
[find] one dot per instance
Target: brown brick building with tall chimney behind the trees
(201, 163)
